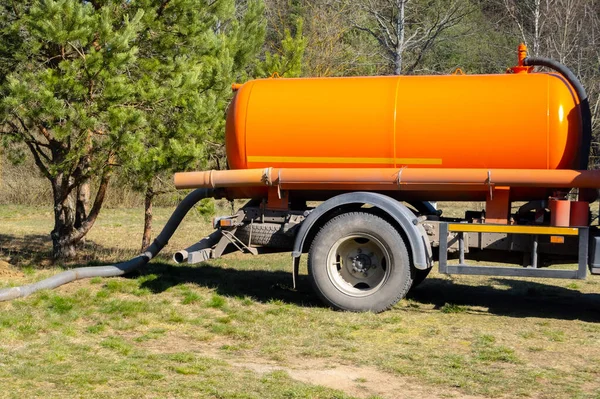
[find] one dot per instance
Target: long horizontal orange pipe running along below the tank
(389, 179)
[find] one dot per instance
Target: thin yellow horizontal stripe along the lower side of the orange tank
(333, 160)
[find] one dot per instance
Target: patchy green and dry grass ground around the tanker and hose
(234, 328)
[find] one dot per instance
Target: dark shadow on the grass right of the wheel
(521, 299)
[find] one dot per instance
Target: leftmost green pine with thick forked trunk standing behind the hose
(64, 98)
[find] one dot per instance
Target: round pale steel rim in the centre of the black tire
(358, 265)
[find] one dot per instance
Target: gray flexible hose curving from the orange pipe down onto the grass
(120, 268)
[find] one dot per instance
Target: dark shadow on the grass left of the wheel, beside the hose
(261, 285)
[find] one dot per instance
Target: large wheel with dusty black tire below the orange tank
(372, 281)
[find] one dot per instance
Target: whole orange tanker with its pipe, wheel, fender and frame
(369, 153)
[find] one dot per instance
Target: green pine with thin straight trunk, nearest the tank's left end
(190, 52)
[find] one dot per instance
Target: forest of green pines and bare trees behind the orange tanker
(101, 101)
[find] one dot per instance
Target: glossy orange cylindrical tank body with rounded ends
(512, 121)
